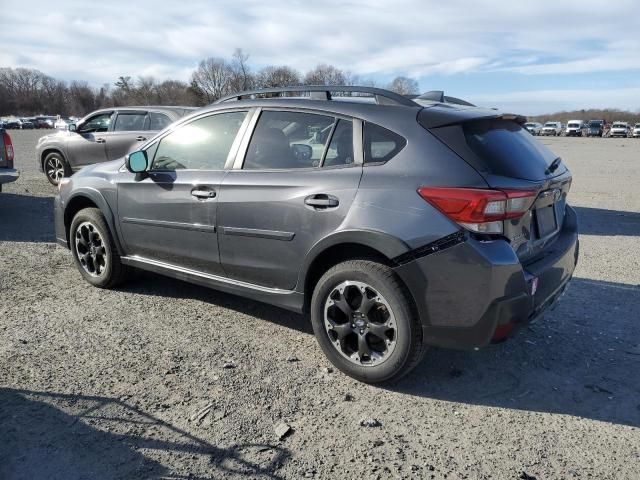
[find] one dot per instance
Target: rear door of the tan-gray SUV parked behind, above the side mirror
(127, 133)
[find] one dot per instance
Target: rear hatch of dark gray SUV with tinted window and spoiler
(512, 161)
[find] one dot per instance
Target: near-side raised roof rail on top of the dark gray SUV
(323, 92)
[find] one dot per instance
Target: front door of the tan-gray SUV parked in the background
(87, 145)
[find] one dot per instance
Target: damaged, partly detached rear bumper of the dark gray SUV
(465, 292)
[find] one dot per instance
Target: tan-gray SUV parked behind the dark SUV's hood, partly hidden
(101, 136)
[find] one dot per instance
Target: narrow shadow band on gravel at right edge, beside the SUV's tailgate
(600, 221)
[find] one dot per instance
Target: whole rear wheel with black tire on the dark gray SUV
(391, 329)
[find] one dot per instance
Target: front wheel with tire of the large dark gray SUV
(96, 257)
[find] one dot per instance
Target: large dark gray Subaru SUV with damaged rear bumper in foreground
(394, 223)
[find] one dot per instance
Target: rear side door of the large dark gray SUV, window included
(293, 183)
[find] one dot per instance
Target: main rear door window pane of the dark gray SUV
(284, 140)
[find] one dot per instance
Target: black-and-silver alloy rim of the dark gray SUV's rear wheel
(360, 323)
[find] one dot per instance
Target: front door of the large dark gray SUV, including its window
(169, 214)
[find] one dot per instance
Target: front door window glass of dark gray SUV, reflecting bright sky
(202, 144)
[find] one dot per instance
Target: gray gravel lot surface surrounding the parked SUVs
(162, 379)
